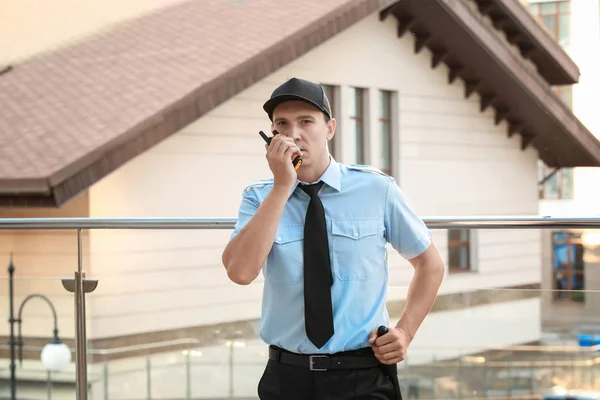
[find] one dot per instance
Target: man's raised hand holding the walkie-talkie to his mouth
(279, 155)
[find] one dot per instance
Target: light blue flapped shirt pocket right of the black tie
(358, 248)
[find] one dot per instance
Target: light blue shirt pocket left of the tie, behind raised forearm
(285, 261)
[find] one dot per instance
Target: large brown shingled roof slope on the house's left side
(70, 117)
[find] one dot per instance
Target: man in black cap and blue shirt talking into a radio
(319, 235)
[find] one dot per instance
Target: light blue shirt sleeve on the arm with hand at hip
(405, 231)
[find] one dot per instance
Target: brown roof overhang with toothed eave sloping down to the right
(473, 49)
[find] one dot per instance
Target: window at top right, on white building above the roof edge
(556, 16)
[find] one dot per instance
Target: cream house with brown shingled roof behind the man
(158, 115)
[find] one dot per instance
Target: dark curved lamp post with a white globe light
(55, 355)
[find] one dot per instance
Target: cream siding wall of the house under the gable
(454, 161)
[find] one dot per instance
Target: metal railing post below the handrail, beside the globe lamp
(80, 286)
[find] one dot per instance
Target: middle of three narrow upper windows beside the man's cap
(356, 131)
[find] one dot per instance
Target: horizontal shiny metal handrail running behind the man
(449, 222)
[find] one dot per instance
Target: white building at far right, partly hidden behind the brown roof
(571, 264)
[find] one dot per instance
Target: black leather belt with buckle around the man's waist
(324, 362)
